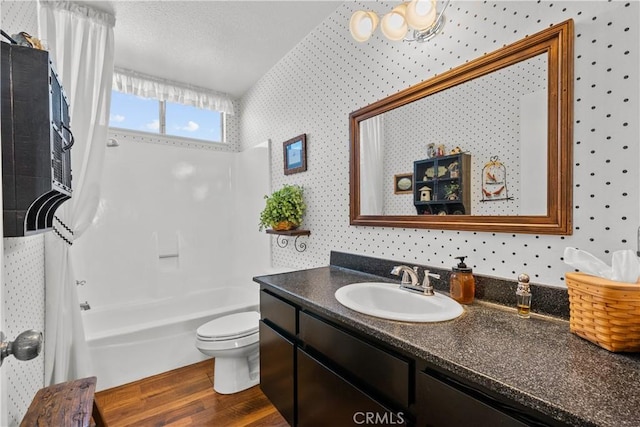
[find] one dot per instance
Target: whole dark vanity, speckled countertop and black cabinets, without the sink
(324, 364)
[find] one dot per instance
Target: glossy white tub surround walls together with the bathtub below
(174, 245)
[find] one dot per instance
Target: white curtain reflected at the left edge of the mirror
(372, 166)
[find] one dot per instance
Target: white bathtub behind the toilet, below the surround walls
(130, 342)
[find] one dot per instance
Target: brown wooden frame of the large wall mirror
(557, 43)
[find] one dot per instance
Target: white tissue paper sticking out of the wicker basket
(625, 264)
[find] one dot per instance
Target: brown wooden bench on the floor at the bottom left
(65, 404)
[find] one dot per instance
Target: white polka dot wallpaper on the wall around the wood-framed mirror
(328, 75)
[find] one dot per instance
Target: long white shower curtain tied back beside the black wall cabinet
(80, 40)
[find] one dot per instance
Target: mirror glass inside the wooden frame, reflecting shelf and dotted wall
(478, 148)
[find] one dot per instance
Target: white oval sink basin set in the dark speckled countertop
(388, 301)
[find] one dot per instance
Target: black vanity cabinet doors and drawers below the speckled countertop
(317, 372)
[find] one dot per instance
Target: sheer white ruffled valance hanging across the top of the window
(134, 83)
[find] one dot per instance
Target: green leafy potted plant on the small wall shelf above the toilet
(284, 209)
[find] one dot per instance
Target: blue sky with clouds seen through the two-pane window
(143, 114)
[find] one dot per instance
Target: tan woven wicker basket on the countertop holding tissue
(605, 312)
